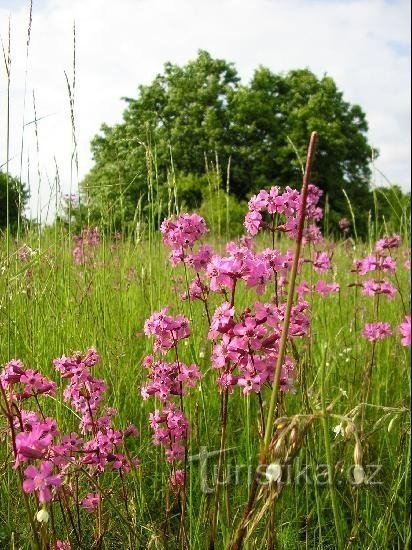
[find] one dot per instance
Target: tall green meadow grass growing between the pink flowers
(50, 307)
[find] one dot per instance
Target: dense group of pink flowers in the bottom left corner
(37, 438)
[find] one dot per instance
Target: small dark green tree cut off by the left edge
(18, 196)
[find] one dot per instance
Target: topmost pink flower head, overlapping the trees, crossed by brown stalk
(266, 204)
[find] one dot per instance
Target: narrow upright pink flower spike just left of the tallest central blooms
(168, 380)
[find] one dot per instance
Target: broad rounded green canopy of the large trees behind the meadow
(201, 113)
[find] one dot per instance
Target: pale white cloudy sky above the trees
(364, 45)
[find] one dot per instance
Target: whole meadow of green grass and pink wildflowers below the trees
(175, 390)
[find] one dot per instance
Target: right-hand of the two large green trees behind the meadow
(274, 116)
